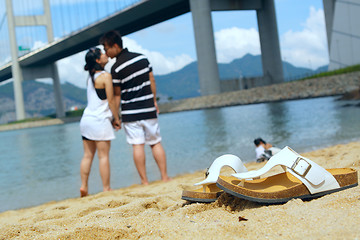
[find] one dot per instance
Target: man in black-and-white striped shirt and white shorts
(135, 89)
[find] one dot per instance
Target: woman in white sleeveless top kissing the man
(98, 119)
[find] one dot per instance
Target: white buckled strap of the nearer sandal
(315, 177)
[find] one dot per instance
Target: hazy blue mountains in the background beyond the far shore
(39, 97)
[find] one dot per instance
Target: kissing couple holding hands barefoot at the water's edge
(132, 84)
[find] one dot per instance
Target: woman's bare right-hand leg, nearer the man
(103, 148)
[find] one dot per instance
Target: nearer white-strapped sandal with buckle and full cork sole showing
(303, 179)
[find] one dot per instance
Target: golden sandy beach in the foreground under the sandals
(157, 212)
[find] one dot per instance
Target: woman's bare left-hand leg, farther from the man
(85, 165)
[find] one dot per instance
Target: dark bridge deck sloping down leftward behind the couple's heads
(139, 16)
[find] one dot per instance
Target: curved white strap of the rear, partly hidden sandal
(225, 160)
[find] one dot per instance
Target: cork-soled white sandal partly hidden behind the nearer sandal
(209, 192)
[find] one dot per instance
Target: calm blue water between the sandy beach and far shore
(38, 165)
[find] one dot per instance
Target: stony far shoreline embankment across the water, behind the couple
(347, 85)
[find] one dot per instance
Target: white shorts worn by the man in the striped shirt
(143, 131)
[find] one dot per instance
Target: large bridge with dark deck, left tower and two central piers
(141, 14)
